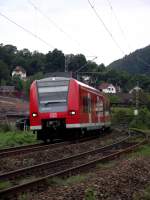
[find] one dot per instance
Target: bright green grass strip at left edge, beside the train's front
(16, 138)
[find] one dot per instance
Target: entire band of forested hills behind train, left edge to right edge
(38, 64)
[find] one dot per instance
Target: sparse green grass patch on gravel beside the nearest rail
(67, 181)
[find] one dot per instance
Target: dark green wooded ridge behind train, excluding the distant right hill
(36, 62)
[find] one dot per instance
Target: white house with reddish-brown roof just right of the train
(108, 88)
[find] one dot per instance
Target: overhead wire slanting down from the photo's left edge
(27, 30)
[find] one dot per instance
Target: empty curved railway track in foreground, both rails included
(37, 176)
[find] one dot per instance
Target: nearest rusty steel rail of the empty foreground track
(82, 167)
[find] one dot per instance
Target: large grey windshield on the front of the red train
(53, 96)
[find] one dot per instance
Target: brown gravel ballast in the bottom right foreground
(121, 182)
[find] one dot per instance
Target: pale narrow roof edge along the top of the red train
(67, 79)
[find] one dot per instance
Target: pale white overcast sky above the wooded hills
(73, 27)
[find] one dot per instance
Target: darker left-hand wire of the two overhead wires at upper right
(108, 31)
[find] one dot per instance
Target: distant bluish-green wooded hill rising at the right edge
(137, 62)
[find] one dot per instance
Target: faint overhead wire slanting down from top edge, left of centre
(50, 20)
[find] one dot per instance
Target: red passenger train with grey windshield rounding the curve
(60, 107)
